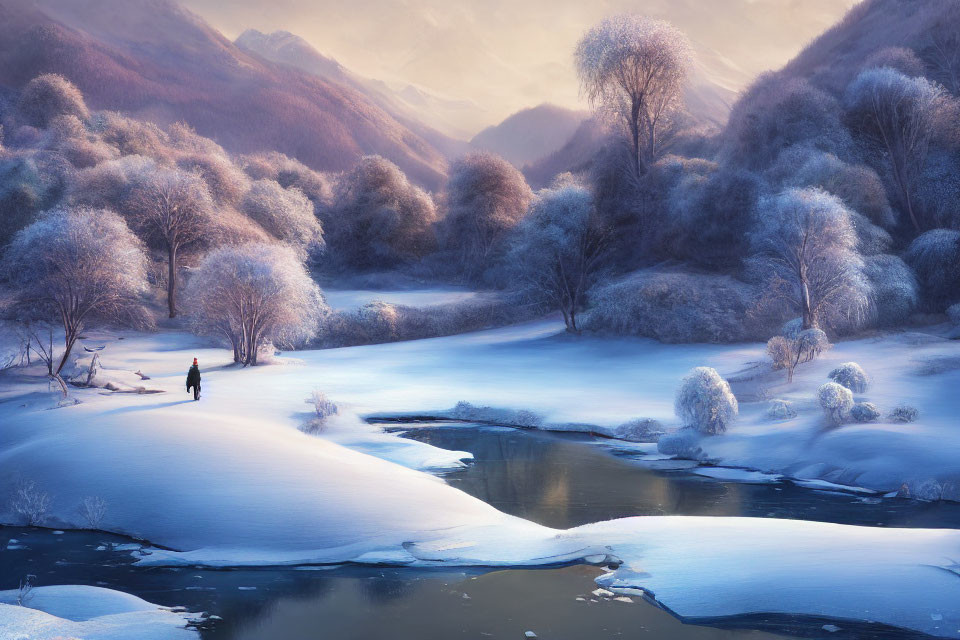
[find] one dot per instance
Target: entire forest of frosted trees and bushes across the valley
(822, 209)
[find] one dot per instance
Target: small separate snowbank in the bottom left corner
(90, 613)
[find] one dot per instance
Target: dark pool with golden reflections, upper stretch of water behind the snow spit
(554, 479)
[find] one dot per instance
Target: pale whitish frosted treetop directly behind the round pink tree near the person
(286, 214)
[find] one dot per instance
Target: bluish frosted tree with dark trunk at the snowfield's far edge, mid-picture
(559, 250)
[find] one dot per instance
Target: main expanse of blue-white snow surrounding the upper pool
(230, 480)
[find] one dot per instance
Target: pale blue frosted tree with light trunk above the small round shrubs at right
(806, 242)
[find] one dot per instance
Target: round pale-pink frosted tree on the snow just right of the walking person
(254, 295)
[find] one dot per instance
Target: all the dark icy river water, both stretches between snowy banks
(559, 480)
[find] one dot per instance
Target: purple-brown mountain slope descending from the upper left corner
(154, 60)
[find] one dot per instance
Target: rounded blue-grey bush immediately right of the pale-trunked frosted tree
(894, 292)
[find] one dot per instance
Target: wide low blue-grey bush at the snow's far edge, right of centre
(673, 307)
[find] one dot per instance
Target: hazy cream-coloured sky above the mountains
(505, 55)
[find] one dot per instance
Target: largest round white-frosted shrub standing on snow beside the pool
(705, 402)
